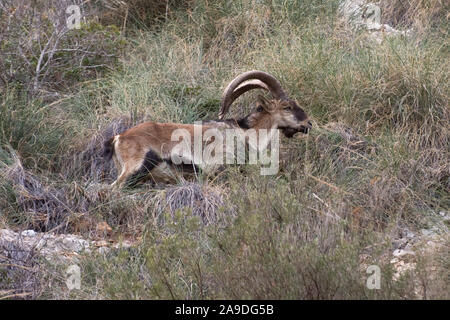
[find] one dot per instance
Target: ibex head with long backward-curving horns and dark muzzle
(280, 112)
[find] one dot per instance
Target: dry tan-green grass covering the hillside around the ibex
(375, 166)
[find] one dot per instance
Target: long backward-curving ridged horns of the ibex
(237, 87)
